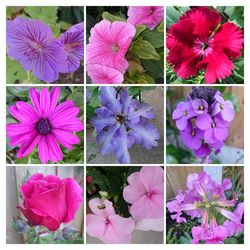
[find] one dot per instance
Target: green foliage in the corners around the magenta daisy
(75, 155)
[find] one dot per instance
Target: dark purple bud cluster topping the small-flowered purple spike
(205, 93)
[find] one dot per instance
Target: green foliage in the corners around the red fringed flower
(233, 14)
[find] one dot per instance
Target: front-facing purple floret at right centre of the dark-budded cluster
(216, 129)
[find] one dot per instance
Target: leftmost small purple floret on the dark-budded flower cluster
(182, 114)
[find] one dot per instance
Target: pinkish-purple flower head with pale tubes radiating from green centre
(206, 199)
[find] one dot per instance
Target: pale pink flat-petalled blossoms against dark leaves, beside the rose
(144, 193)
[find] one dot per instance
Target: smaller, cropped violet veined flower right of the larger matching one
(73, 43)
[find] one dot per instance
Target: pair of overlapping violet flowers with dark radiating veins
(31, 43)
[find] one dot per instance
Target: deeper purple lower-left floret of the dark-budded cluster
(192, 137)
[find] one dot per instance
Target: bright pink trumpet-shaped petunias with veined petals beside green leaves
(109, 43)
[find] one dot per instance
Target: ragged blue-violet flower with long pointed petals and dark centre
(121, 122)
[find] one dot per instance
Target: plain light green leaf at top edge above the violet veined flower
(47, 14)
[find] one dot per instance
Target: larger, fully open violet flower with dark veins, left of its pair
(31, 43)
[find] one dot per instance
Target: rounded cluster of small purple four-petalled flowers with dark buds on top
(203, 120)
